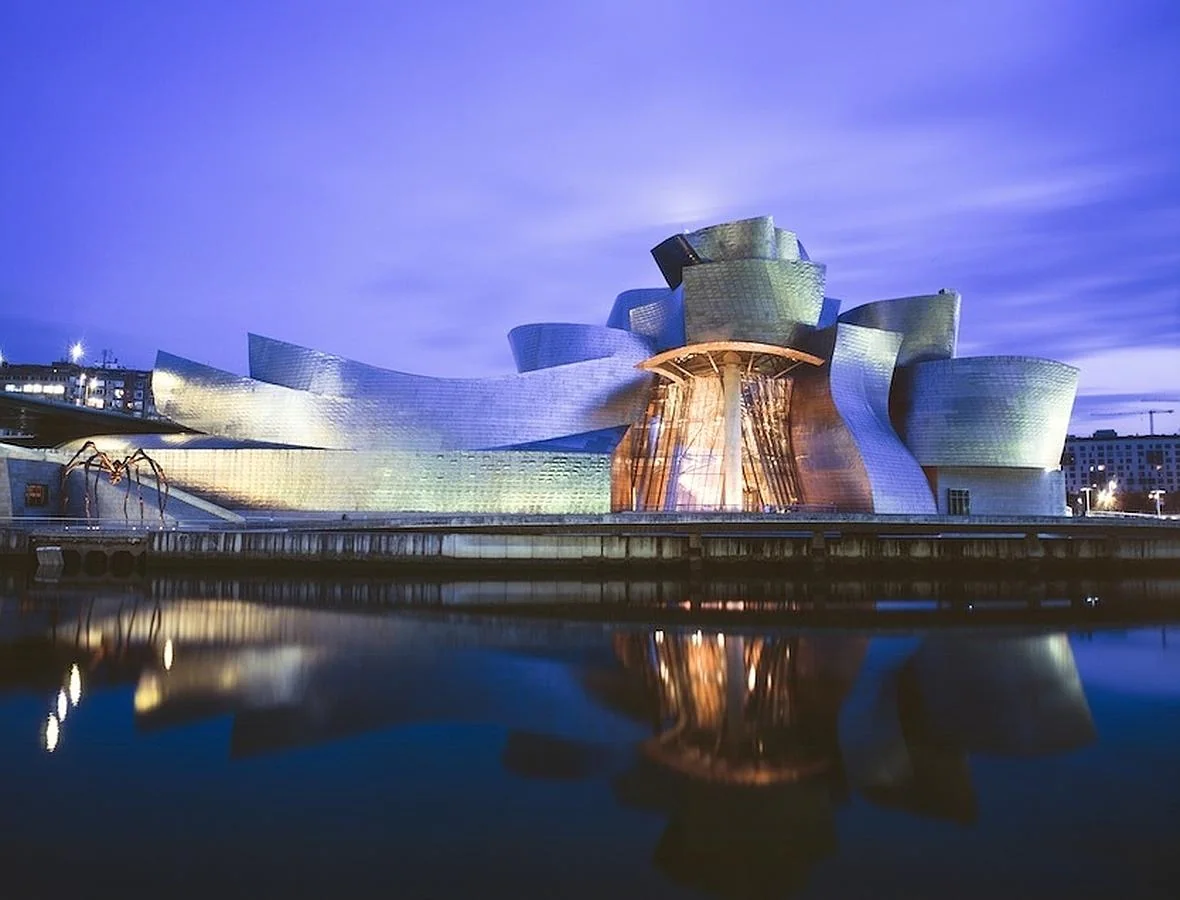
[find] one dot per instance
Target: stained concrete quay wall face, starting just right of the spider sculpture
(655, 548)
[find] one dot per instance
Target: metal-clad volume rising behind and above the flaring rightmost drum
(929, 324)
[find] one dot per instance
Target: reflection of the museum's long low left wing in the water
(294, 678)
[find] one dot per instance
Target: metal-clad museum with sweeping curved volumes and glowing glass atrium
(738, 387)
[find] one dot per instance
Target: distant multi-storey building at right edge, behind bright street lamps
(1137, 464)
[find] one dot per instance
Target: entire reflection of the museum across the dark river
(746, 744)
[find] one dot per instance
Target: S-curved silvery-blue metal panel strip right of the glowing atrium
(862, 372)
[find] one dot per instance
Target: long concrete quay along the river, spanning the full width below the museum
(628, 541)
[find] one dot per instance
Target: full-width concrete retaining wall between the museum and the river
(615, 544)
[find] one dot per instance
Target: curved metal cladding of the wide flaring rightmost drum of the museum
(986, 411)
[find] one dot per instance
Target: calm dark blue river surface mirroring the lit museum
(221, 748)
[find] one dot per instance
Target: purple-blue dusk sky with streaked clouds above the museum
(404, 182)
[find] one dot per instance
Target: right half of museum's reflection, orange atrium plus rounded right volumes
(758, 739)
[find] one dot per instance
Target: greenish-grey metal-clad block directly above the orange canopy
(768, 301)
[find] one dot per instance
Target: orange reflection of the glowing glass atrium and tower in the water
(745, 760)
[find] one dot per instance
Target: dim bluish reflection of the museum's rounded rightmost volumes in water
(921, 707)
